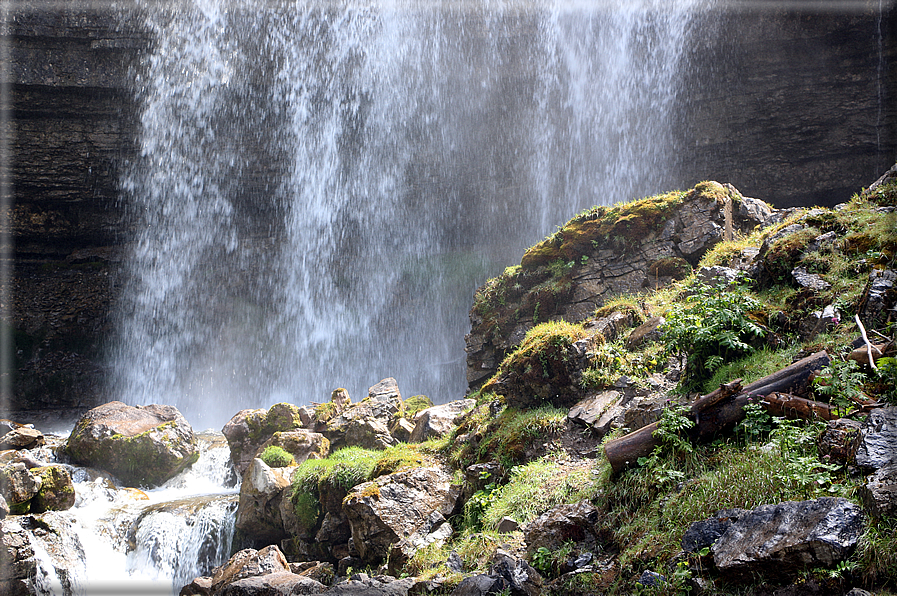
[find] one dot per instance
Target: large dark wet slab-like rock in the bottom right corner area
(780, 541)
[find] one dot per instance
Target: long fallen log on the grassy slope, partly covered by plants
(718, 411)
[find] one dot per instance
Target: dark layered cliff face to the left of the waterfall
(70, 133)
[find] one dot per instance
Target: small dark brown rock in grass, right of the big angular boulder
(573, 522)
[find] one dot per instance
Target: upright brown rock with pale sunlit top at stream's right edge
(261, 493)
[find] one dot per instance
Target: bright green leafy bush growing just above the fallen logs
(711, 327)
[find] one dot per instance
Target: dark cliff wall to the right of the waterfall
(798, 108)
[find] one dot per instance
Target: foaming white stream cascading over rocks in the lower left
(123, 540)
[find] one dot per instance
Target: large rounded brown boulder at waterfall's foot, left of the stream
(140, 445)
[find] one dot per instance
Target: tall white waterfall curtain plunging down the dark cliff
(322, 185)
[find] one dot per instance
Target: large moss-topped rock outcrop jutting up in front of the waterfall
(596, 256)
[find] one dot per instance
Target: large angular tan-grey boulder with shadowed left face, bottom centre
(396, 506)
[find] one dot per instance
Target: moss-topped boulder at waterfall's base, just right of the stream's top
(248, 430)
